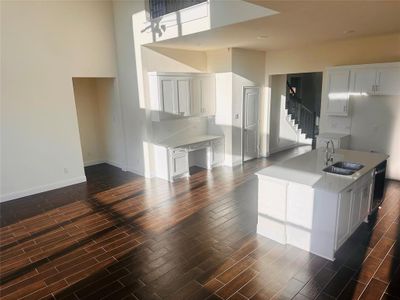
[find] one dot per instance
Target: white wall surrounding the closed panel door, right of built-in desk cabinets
(235, 69)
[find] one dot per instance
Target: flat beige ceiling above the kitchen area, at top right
(299, 23)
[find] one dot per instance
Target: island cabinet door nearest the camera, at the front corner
(343, 220)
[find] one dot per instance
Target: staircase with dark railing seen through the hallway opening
(301, 117)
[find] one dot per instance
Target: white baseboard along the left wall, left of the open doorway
(42, 188)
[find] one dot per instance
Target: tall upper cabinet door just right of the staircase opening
(338, 92)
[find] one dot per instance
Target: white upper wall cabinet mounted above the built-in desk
(176, 95)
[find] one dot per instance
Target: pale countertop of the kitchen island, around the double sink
(307, 169)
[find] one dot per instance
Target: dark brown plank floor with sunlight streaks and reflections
(121, 236)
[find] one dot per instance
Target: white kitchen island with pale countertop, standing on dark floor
(302, 205)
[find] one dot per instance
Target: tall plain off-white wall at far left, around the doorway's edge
(44, 45)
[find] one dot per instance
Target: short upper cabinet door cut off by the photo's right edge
(388, 82)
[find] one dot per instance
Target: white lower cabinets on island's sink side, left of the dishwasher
(353, 207)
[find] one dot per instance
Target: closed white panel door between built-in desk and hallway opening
(250, 123)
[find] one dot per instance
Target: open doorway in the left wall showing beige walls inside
(99, 121)
